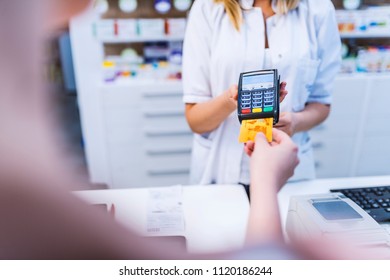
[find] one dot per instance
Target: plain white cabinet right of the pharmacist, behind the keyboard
(354, 140)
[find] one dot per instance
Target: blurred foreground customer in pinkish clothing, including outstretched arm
(40, 218)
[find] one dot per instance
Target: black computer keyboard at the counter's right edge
(374, 200)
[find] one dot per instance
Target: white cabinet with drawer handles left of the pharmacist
(147, 138)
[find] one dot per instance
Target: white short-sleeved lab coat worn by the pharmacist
(305, 48)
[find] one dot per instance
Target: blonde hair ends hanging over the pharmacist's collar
(234, 12)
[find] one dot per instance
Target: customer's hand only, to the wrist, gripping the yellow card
(272, 163)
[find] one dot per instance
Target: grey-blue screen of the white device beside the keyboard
(336, 210)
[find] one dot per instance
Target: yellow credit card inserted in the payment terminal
(250, 128)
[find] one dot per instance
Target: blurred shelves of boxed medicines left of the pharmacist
(144, 42)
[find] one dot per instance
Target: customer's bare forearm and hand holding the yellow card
(271, 165)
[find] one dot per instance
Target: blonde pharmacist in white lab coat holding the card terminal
(299, 38)
